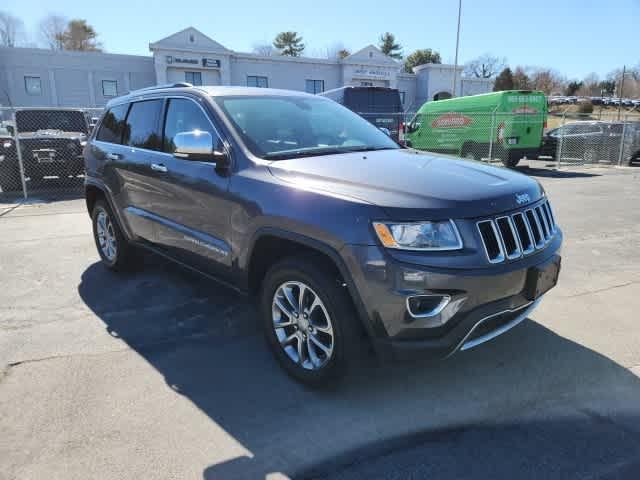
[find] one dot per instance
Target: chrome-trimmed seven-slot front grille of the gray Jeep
(522, 233)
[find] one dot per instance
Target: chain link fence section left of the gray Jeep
(41, 150)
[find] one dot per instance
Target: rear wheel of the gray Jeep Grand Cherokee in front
(115, 251)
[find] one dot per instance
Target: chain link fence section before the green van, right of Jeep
(506, 138)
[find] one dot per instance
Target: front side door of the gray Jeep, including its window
(190, 201)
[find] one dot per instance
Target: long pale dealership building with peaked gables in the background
(36, 77)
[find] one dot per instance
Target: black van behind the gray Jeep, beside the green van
(380, 106)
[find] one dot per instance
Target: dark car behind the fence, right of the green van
(594, 142)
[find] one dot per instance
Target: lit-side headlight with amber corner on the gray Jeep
(419, 236)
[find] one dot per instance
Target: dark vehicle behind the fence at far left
(51, 142)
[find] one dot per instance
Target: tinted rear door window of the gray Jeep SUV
(142, 126)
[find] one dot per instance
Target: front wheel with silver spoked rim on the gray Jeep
(317, 368)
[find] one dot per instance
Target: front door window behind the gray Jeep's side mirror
(185, 116)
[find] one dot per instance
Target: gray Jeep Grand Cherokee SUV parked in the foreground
(340, 233)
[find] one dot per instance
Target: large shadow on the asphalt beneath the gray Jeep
(205, 341)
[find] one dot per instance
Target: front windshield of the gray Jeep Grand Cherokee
(279, 127)
